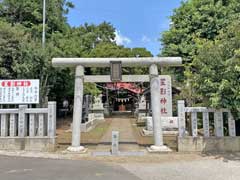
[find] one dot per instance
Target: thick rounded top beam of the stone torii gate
(126, 62)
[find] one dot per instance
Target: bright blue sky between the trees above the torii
(138, 23)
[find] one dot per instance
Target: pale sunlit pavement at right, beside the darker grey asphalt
(211, 169)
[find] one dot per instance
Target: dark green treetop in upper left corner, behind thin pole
(29, 14)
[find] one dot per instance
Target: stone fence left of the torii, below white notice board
(28, 128)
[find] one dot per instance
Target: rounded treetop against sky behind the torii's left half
(79, 41)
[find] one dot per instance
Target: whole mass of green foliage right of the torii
(206, 34)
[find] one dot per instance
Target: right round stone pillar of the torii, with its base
(156, 112)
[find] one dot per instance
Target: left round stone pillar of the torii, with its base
(77, 111)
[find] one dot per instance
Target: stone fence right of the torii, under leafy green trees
(223, 137)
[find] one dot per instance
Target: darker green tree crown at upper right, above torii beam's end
(197, 19)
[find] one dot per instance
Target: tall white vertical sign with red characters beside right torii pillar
(166, 96)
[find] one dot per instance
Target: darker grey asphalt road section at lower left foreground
(45, 169)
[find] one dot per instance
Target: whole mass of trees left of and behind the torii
(21, 54)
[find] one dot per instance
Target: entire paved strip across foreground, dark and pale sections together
(19, 168)
